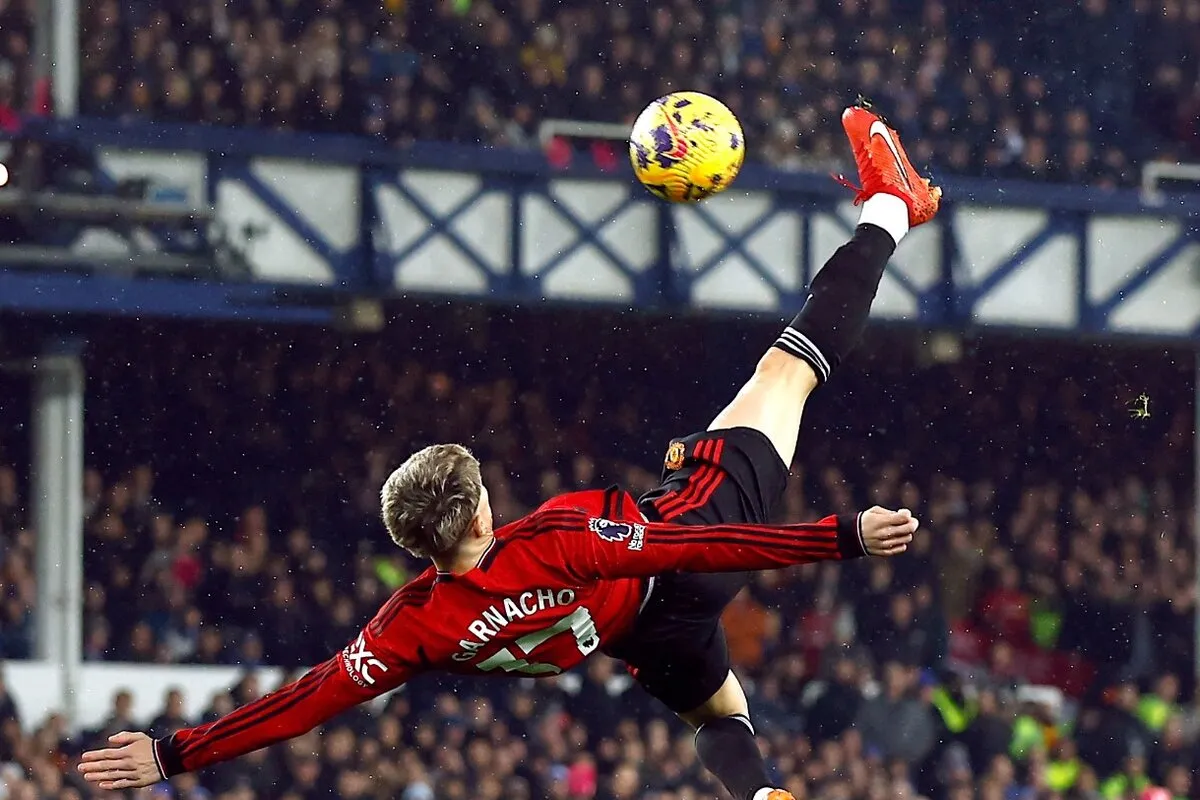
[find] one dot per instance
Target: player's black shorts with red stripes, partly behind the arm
(677, 648)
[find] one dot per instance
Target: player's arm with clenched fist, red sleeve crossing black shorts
(593, 549)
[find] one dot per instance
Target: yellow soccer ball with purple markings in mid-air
(687, 147)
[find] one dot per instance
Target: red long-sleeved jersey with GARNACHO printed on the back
(554, 588)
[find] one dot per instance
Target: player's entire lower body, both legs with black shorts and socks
(737, 473)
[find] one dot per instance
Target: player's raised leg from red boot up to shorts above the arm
(753, 440)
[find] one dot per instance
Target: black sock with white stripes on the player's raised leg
(841, 297)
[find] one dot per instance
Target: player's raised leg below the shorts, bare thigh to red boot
(895, 197)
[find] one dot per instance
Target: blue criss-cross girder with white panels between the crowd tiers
(316, 216)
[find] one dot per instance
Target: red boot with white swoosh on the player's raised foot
(884, 166)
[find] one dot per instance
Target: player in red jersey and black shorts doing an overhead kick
(645, 581)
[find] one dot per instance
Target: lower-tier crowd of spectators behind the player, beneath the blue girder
(233, 492)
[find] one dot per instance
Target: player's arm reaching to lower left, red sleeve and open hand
(135, 760)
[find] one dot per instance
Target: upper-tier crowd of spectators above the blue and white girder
(1075, 93)
